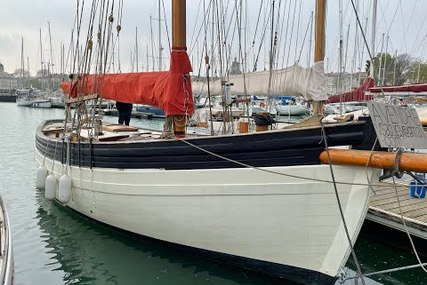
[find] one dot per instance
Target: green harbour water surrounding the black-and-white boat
(53, 245)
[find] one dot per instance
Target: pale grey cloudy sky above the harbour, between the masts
(403, 23)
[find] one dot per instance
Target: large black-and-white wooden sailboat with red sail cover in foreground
(263, 201)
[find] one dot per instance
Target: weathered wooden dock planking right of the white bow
(384, 209)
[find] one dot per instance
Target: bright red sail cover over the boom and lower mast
(168, 90)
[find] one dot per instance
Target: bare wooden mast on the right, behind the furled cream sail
(319, 47)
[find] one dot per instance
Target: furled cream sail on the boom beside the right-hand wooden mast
(295, 80)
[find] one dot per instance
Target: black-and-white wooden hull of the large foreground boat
(278, 215)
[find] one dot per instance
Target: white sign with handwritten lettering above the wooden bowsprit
(397, 126)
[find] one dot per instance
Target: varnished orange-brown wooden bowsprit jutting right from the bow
(408, 161)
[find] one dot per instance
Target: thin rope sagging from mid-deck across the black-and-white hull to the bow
(245, 165)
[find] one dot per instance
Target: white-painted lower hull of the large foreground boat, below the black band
(241, 212)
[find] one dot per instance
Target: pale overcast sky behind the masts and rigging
(404, 22)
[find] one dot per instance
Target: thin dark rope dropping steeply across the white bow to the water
(347, 233)
